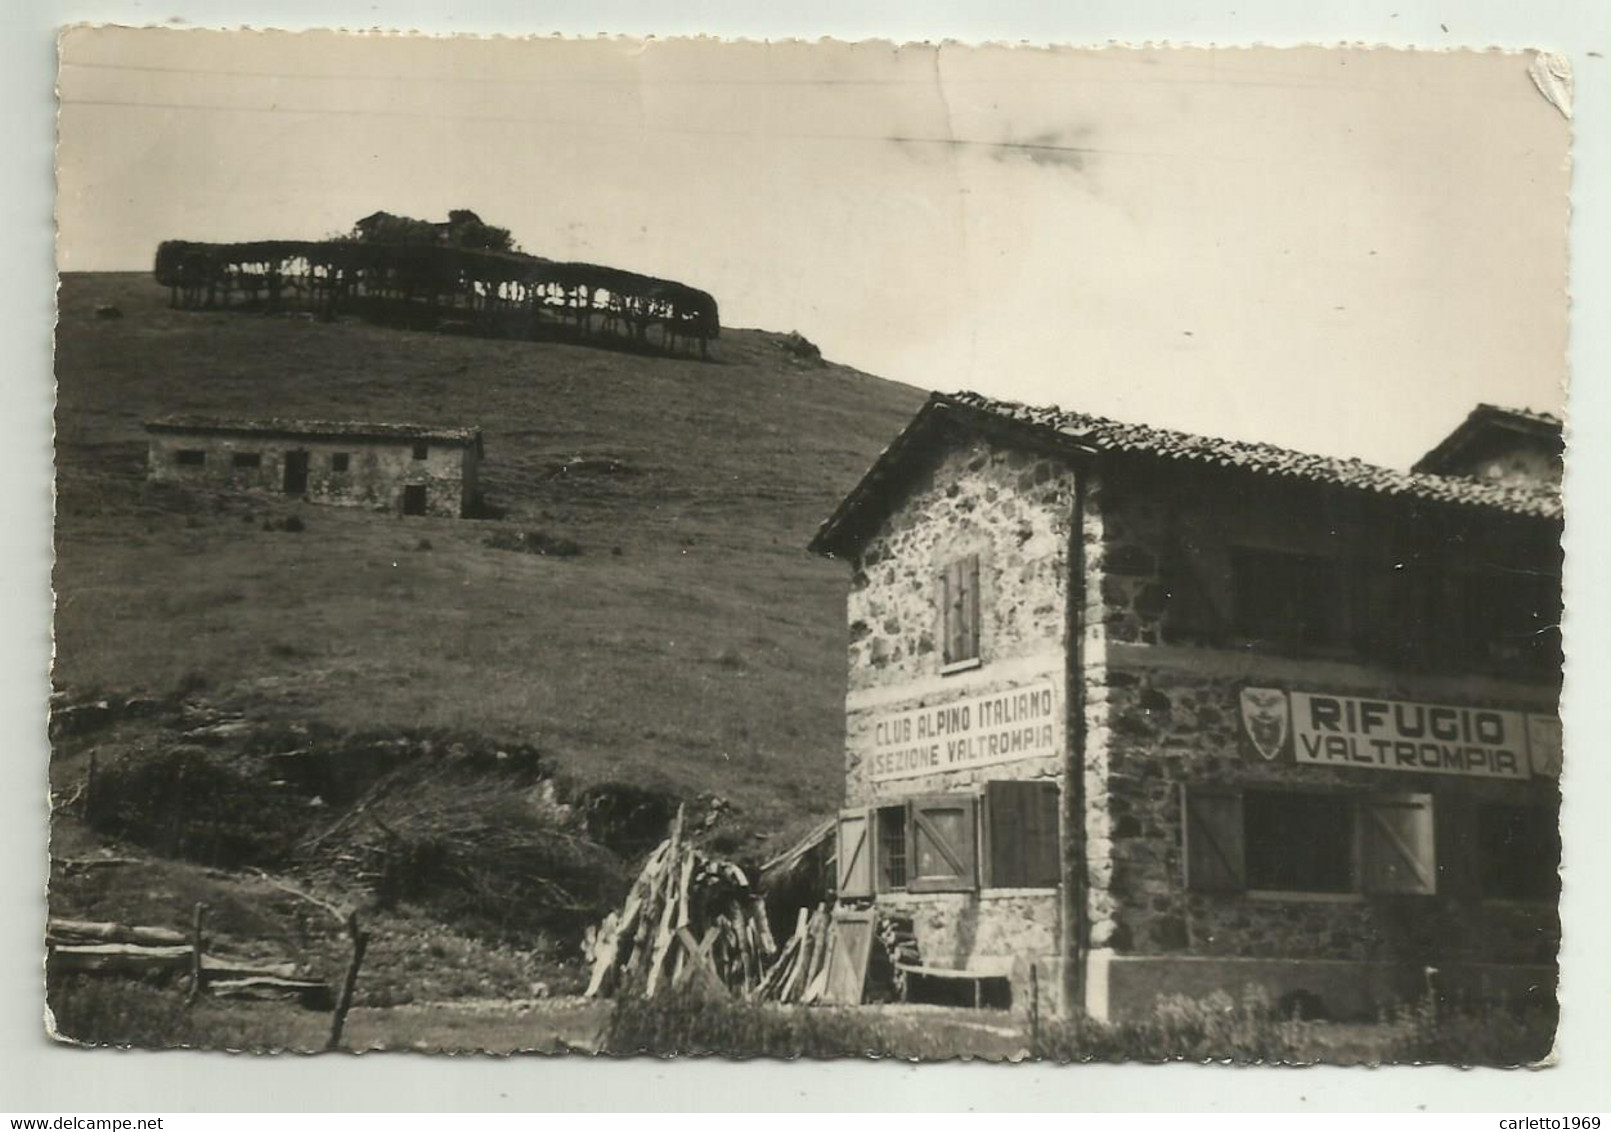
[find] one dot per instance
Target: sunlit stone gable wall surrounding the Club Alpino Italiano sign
(1014, 510)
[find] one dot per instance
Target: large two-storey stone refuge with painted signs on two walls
(1145, 713)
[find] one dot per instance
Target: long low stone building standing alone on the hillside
(407, 469)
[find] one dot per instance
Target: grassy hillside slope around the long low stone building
(694, 647)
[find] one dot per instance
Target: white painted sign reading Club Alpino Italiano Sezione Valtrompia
(975, 732)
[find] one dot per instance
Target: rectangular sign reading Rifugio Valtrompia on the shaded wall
(1420, 738)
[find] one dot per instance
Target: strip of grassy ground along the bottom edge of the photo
(114, 1012)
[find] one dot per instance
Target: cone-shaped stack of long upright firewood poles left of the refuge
(687, 917)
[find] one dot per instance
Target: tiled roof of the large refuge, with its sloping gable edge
(1090, 434)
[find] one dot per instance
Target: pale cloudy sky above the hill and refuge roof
(1333, 250)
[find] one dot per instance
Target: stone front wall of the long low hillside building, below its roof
(376, 474)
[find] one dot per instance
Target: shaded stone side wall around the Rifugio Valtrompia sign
(1166, 714)
